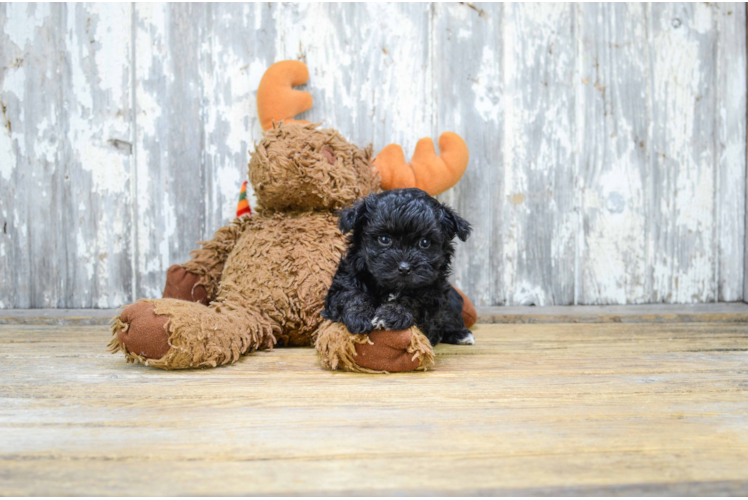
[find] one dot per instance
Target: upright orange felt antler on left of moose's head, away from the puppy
(276, 98)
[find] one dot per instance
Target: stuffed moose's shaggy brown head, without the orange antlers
(291, 169)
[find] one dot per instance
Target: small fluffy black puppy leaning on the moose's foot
(395, 271)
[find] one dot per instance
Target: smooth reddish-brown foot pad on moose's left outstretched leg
(144, 332)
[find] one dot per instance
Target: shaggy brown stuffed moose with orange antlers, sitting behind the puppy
(262, 280)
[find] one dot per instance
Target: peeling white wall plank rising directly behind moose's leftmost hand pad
(171, 188)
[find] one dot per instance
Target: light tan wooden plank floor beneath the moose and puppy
(531, 409)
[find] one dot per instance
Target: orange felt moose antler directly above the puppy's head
(434, 174)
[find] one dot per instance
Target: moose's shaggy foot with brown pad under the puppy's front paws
(378, 352)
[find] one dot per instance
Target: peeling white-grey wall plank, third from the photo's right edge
(614, 117)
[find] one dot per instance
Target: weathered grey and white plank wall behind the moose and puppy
(608, 141)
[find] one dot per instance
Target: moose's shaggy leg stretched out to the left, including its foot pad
(174, 334)
